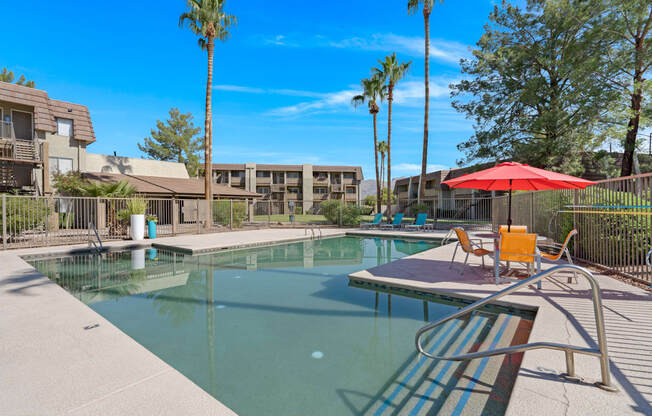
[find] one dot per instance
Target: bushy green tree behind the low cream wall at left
(175, 140)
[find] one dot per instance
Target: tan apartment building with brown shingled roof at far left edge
(39, 135)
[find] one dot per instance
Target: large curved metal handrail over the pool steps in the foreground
(600, 352)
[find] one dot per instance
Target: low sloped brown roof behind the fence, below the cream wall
(156, 185)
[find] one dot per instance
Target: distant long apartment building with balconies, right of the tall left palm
(305, 183)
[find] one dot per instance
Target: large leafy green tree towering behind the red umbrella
(533, 89)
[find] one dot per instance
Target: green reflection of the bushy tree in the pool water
(179, 303)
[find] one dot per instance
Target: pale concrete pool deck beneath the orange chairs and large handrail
(565, 315)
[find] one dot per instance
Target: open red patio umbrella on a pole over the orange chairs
(516, 176)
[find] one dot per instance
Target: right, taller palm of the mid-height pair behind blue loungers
(392, 71)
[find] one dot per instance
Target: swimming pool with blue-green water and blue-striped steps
(279, 330)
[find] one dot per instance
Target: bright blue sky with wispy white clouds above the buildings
(282, 83)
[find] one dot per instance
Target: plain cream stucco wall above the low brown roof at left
(133, 166)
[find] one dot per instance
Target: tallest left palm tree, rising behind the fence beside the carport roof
(207, 19)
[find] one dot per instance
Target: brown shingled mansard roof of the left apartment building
(47, 110)
